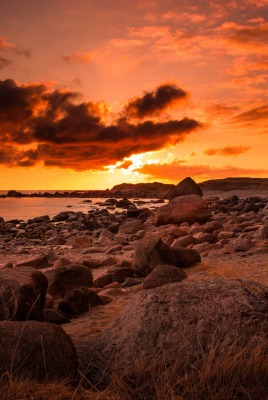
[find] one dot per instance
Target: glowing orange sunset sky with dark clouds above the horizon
(94, 93)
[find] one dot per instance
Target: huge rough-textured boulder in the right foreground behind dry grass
(181, 322)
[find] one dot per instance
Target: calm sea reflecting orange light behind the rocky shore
(24, 208)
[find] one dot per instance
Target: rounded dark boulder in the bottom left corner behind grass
(35, 350)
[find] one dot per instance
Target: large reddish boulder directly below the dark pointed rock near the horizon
(191, 208)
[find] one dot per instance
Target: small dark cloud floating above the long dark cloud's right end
(154, 102)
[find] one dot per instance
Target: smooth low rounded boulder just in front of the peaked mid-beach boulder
(163, 275)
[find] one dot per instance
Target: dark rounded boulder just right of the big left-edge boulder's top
(64, 279)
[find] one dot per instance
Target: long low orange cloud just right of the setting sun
(177, 170)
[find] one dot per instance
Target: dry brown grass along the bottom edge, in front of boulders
(223, 374)
